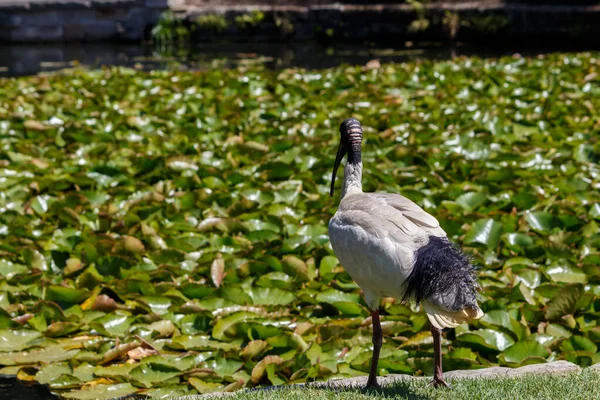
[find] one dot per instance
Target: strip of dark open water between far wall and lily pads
(18, 60)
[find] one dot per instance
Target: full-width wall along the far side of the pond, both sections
(484, 20)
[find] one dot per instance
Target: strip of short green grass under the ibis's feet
(574, 386)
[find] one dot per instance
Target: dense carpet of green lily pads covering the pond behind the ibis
(165, 232)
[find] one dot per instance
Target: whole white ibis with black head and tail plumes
(391, 247)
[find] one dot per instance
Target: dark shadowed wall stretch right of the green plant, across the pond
(485, 20)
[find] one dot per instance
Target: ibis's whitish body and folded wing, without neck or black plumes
(376, 241)
